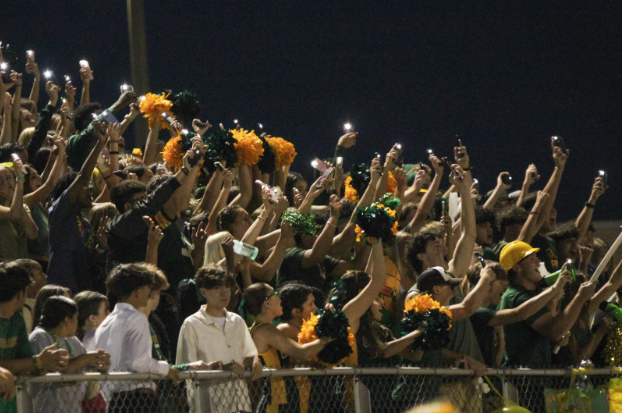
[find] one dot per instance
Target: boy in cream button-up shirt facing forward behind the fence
(214, 334)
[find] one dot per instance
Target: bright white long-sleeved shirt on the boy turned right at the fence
(126, 337)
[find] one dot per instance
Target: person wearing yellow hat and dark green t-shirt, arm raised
(520, 261)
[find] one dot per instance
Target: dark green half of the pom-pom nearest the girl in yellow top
(333, 324)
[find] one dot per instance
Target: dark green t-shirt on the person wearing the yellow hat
(524, 345)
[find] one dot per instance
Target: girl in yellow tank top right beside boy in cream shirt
(264, 303)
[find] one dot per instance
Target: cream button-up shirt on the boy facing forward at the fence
(203, 339)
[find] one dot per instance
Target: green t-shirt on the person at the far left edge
(13, 345)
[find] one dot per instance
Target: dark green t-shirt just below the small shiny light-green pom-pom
(292, 269)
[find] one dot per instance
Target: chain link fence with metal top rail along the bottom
(338, 390)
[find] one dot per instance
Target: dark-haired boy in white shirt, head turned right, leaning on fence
(125, 335)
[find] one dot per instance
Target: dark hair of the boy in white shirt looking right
(124, 279)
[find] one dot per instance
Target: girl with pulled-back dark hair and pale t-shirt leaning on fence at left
(59, 324)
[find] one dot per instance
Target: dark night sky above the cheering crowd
(504, 76)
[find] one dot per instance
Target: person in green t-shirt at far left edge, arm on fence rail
(16, 355)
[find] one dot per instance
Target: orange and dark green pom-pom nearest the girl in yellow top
(330, 324)
